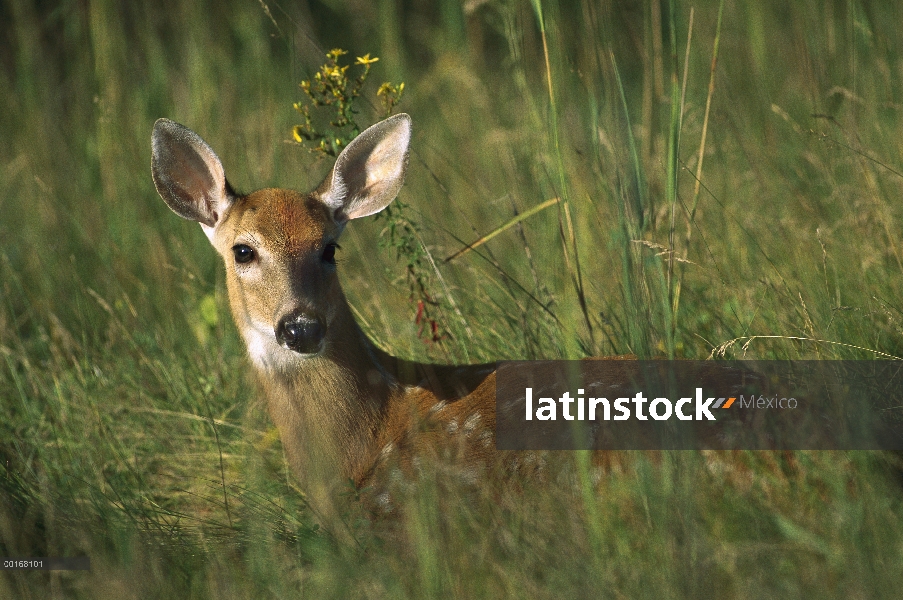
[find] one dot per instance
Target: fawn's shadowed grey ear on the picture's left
(188, 174)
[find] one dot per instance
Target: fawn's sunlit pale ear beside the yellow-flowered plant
(370, 171)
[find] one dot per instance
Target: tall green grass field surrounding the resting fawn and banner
(751, 210)
